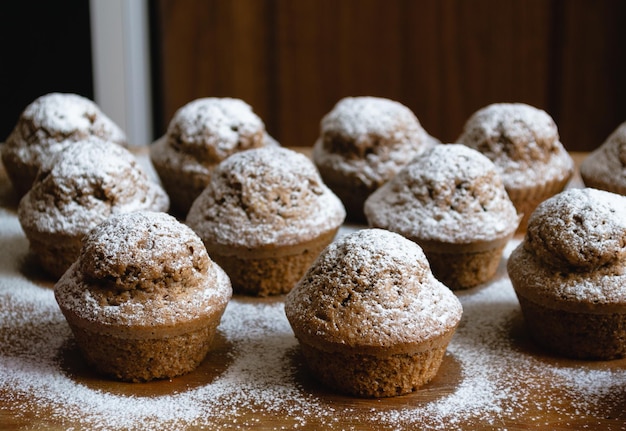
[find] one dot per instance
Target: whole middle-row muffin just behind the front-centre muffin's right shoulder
(451, 201)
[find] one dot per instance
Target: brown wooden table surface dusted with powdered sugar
(492, 377)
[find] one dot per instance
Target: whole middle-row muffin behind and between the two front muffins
(264, 217)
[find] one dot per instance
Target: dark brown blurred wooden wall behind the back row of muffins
(293, 59)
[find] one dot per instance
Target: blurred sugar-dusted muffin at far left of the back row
(49, 124)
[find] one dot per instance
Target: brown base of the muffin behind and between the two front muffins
(272, 271)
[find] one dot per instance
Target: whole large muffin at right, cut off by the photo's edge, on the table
(569, 274)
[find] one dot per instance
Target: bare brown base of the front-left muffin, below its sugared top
(140, 359)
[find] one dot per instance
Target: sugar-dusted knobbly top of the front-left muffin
(142, 269)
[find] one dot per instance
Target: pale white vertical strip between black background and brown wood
(121, 65)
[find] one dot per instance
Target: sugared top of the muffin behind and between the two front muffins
(266, 196)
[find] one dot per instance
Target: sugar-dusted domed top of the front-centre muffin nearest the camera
(372, 290)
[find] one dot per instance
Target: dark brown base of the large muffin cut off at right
(574, 334)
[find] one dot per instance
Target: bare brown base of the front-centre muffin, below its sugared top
(371, 376)
